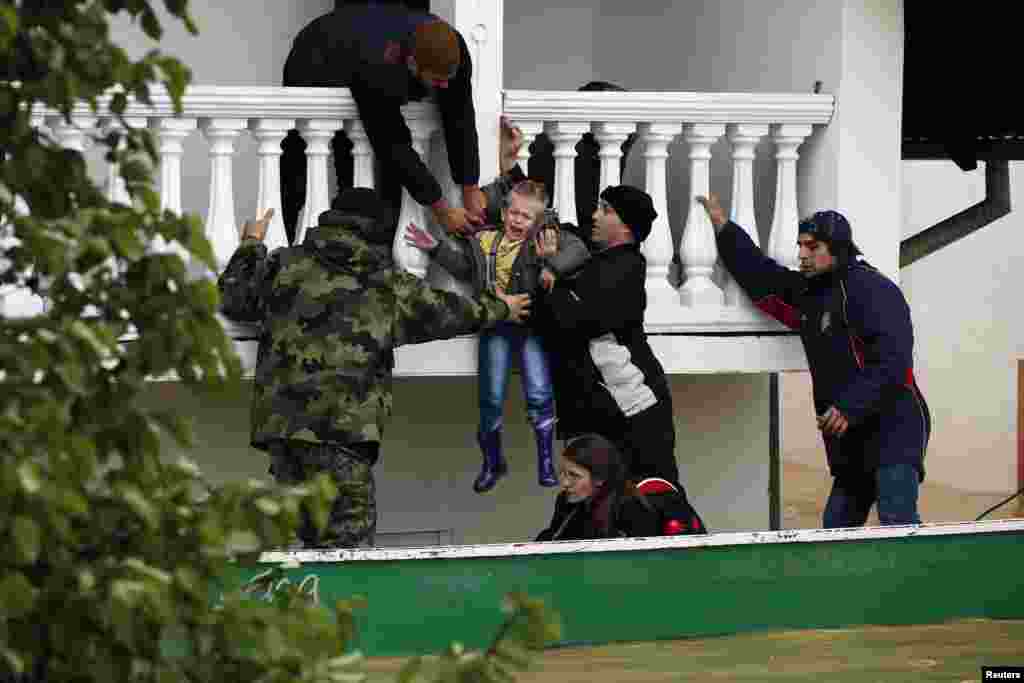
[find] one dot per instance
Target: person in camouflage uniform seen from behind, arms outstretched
(333, 310)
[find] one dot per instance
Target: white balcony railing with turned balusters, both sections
(706, 302)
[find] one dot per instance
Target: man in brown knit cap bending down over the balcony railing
(390, 56)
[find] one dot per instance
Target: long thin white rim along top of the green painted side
(654, 543)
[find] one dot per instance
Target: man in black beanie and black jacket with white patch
(608, 379)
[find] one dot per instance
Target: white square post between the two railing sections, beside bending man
(482, 23)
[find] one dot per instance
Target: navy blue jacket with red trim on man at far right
(856, 326)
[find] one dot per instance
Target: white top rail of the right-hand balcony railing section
(669, 107)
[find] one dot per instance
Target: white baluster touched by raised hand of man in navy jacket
(698, 249)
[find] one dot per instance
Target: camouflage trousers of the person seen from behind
(354, 516)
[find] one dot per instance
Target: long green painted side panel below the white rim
(419, 607)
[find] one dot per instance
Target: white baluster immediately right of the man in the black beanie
(658, 247)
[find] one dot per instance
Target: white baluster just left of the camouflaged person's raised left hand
(222, 228)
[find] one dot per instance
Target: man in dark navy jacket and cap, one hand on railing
(857, 331)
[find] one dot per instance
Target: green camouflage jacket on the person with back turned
(333, 310)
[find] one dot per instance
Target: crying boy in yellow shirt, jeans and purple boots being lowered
(520, 254)
